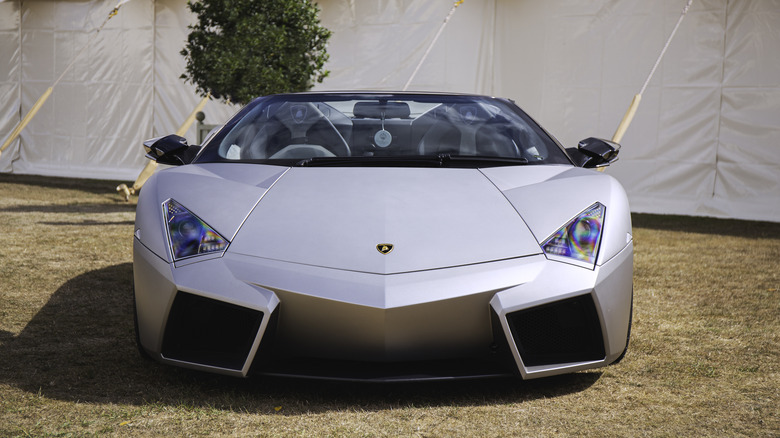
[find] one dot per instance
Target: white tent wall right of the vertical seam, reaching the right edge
(706, 137)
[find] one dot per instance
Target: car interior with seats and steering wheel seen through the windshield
(302, 130)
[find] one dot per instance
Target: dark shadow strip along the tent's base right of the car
(707, 225)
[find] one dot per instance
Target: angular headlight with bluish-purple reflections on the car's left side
(188, 235)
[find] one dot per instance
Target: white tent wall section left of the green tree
(124, 88)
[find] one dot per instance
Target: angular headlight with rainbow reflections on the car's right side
(578, 241)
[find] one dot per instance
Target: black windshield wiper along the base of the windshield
(440, 160)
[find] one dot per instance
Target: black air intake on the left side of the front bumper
(209, 332)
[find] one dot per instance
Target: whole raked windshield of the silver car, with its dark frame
(383, 129)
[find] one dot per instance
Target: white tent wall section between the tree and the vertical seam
(377, 44)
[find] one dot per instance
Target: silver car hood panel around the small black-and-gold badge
(336, 218)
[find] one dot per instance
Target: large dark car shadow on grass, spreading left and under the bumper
(80, 347)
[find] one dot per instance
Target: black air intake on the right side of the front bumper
(560, 332)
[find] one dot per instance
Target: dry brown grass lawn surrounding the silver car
(704, 356)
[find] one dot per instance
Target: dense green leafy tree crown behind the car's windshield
(241, 49)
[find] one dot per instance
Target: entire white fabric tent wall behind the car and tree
(705, 141)
